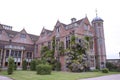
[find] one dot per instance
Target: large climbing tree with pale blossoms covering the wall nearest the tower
(77, 56)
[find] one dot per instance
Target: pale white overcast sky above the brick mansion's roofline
(34, 14)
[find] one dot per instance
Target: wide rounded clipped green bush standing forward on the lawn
(43, 69)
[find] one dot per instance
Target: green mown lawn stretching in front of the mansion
(31, 75)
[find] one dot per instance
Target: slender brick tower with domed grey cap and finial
(99, 45)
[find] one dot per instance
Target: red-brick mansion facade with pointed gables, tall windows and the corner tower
(22, 45)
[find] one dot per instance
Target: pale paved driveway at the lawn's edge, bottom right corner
(109, 77)
